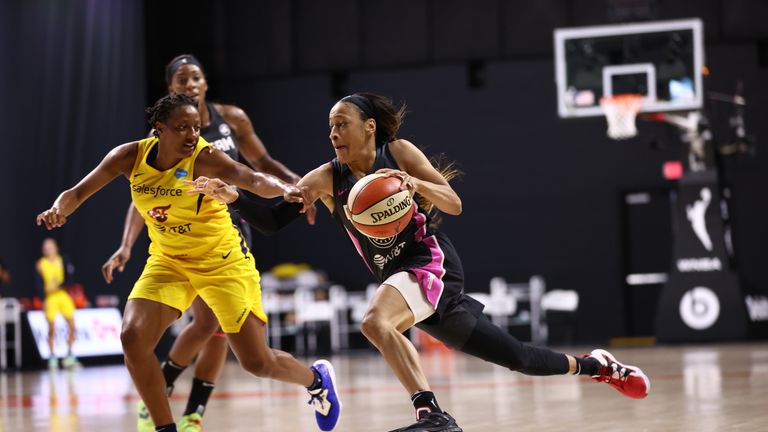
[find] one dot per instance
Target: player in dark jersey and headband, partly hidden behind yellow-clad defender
(226, 128)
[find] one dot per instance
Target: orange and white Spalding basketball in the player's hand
(377, 206)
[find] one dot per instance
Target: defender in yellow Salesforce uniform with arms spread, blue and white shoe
(195, 251)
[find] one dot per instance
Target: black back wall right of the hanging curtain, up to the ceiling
(541, 195)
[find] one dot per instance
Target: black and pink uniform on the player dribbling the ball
(418, 249)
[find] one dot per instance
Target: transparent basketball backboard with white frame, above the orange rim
(663, 61)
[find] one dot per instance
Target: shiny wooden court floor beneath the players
(694, 388)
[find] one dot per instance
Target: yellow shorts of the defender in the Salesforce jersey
(225, 278)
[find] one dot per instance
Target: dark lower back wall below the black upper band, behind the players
(541, 195)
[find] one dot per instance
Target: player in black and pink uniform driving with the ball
(421, 276)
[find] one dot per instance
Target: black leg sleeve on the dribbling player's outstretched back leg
(495, 345)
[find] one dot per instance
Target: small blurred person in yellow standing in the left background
(51, 272)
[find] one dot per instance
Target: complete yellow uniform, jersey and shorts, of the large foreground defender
(195, 247)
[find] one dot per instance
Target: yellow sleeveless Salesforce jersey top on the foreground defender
(180, 225)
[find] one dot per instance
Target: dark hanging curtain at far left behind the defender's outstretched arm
(76, 80)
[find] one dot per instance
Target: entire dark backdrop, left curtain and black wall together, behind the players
(541, 195)
